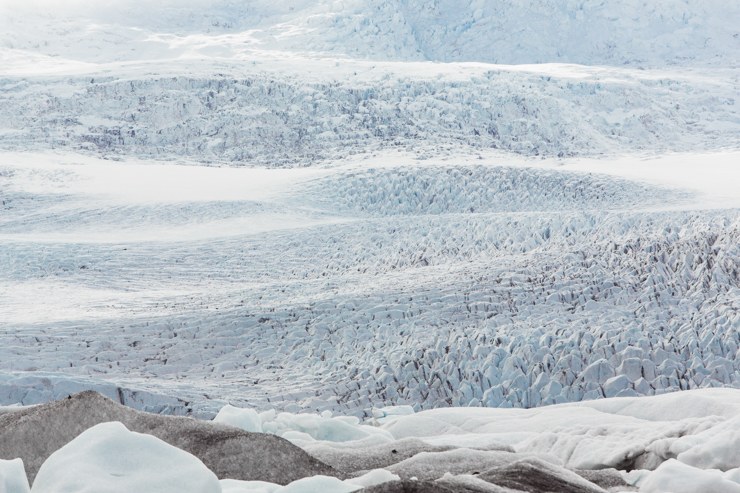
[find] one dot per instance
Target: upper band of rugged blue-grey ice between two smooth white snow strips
(281, 119)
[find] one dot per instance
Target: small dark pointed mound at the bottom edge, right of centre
(534, 475)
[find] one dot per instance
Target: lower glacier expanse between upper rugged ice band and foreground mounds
(377, 280)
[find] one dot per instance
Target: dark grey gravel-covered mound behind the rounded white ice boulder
(33, 434)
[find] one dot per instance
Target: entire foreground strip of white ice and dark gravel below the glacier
(682, 442)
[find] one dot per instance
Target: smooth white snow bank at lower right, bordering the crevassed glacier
(596, 434)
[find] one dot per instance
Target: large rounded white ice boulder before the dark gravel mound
(108, 457)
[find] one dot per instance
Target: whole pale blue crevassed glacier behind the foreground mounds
(269, 206)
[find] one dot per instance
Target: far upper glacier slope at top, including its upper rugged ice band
(293, 84)
